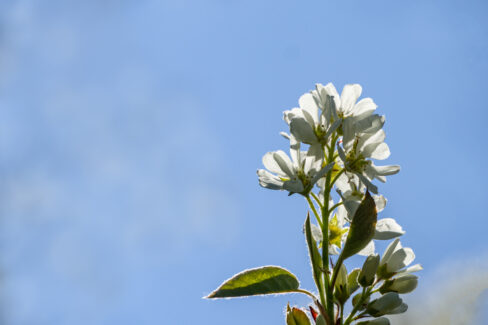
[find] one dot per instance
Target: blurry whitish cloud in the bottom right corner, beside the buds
(452, 295)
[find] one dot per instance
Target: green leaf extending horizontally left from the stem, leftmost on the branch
(259, 281)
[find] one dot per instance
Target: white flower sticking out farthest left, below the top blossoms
(296, 175)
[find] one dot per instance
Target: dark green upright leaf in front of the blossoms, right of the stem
(362, 227)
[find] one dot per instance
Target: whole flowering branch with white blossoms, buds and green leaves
(341, 137)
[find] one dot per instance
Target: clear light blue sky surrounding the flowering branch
(131, 131)
